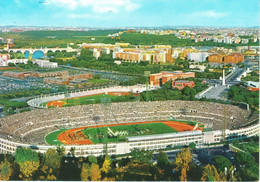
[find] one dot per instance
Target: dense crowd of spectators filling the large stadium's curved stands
(31, 127)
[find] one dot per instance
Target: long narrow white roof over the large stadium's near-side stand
(162, 136)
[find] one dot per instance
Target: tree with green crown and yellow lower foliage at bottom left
(28, 161)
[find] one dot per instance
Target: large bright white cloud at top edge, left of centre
(97, 6)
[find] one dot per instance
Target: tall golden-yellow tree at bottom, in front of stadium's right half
(182, 162)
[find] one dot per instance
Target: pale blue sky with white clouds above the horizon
(129, 13)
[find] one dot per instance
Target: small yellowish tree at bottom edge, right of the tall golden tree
(210, 173)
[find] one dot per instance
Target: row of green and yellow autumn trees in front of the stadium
(55, 164)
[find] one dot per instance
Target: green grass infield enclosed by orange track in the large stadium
(97, 135)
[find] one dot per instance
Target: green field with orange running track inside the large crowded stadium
(117, 132)
